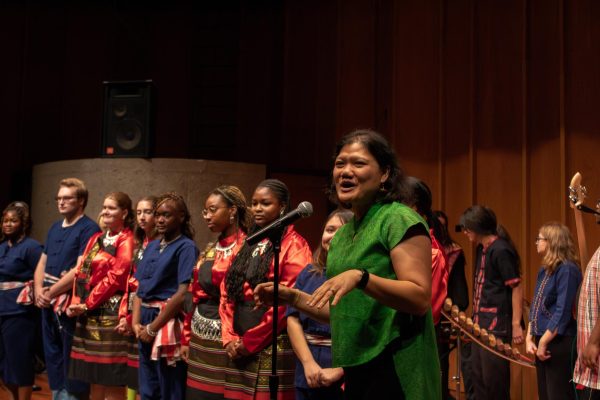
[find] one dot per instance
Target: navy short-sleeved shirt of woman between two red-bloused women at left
(160, 274)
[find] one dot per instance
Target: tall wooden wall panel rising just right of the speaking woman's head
(416, 83)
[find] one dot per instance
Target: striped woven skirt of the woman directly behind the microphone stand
(247, 378)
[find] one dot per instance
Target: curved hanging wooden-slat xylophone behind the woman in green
(482, 338)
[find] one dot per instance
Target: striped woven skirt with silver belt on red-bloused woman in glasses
(207, 360)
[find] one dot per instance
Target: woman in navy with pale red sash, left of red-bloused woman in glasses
(164, 275)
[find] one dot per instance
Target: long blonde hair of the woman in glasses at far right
(560, 245)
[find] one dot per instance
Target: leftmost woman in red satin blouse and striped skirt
(99, 353)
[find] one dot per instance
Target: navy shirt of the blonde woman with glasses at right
(553, 308)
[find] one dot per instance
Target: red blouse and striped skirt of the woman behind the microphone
(247, 377)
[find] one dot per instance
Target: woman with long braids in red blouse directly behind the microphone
(247, 332)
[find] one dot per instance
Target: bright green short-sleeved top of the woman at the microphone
(361, 327)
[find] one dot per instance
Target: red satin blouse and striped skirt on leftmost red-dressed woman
(98, 354)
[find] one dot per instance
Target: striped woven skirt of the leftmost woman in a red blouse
(99, 353)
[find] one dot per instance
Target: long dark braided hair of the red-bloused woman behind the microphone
(245, 267)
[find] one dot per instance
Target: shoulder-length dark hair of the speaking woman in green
(385, 156)
